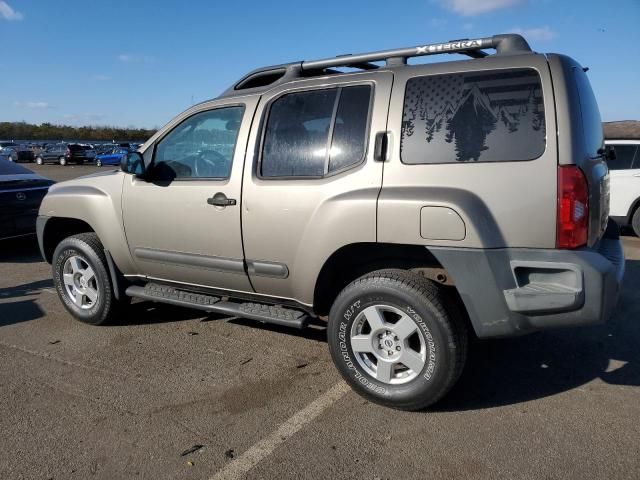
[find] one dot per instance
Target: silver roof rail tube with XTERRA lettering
(503, 44)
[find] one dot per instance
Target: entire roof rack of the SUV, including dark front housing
(506, 44)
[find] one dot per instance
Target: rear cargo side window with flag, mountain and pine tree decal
(473, 117)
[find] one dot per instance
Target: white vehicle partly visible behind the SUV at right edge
(625, 183)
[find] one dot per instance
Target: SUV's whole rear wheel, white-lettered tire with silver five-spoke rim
(397, 339)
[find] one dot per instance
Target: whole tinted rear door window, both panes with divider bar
(317, 132)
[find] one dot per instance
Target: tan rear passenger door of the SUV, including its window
(312, 185)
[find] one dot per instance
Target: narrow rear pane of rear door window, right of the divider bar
(350, 129)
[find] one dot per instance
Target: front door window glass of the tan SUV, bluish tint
(201, 146)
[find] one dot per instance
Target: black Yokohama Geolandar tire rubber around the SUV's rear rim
(437, 320)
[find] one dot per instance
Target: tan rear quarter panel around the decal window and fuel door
(502, 204)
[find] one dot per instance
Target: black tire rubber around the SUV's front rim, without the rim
(89, 249)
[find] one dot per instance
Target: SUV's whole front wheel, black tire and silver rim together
(81, 278)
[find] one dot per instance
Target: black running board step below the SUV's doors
(278, 315)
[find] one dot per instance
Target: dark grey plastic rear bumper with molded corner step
(514, 291)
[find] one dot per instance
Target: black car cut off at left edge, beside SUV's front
(21, 192)
